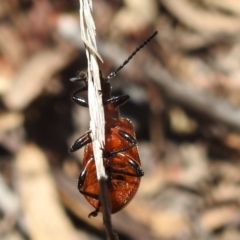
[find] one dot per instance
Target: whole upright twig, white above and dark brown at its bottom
(97, 122)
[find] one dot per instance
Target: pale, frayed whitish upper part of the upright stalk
(97, 122)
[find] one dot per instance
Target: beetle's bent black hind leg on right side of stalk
(133, 164)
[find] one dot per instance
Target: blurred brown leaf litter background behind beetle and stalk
(184, 88)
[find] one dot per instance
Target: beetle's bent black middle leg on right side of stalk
(129, 138)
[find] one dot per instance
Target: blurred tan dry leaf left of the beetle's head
(34, 75)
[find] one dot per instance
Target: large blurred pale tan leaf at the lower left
(41, 206)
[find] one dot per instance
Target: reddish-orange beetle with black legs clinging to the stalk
(120, 154)
